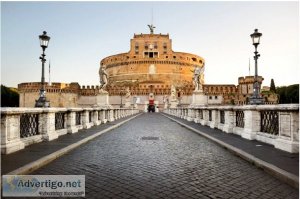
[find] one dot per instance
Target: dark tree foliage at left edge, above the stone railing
(9, 97)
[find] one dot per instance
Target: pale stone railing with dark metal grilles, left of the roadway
(21, 127)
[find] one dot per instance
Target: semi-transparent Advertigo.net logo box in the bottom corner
(43, 185)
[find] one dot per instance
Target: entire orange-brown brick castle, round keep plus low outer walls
(150, 66)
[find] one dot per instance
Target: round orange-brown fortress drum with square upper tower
(151, 66)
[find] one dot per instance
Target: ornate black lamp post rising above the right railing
(256, 98)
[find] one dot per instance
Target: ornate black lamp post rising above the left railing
(42, 102)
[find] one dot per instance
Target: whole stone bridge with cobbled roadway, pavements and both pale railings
(200, 152)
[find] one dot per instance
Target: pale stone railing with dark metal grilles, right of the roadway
(277, 125)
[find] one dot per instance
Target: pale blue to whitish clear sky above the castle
(83, 33)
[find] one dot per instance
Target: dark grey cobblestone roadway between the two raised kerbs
(181, 164)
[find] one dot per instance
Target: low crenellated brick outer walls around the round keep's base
(74, 95)
